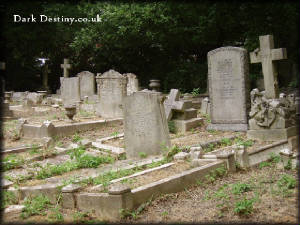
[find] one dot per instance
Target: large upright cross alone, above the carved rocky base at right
(266, 56)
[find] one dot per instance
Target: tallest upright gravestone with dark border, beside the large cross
(228, 88)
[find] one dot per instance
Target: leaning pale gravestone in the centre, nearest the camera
(145, 124)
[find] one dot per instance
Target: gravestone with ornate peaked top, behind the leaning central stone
(112, 90)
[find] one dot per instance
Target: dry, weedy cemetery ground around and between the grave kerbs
(265, 193)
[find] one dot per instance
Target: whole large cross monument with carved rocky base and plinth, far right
(272, 118)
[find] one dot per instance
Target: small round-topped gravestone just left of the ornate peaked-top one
(87, 83)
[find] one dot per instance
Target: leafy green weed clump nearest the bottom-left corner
(35, 206)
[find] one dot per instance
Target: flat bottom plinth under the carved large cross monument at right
(272, 134)
